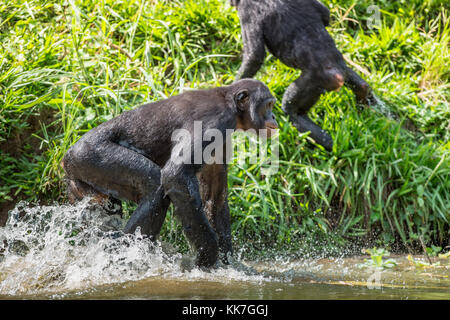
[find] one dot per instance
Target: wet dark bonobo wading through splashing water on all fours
(132, 157)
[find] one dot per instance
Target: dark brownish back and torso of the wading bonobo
(148, 129)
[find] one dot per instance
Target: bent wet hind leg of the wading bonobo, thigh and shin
(121, 173)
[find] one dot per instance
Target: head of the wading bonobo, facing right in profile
(254, 104)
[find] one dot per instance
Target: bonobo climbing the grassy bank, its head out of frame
(294, 32)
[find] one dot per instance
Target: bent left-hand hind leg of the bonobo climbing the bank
(299, 97)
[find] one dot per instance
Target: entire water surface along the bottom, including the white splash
(76, 252)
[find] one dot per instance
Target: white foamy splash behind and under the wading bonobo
(62, 247)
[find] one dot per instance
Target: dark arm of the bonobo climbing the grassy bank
(253, 42)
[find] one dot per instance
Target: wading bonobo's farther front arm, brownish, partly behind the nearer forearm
(214, 190)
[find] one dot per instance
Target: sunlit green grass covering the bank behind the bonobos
(67, 66)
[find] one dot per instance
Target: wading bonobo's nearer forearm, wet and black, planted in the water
(181, 185)
